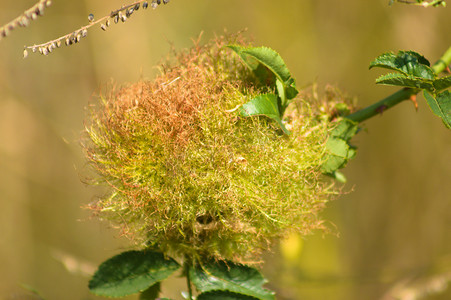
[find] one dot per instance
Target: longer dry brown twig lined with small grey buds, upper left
(121, 14)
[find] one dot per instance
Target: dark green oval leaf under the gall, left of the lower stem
(131, 272)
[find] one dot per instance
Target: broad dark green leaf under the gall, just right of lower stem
(231, 277)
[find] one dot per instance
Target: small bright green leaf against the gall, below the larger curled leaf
(264, 105)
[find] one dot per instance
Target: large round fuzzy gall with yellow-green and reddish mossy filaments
(191, 178)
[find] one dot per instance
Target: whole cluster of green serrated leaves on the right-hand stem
(414, 72)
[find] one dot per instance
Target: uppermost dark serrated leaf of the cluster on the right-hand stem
(407, 62)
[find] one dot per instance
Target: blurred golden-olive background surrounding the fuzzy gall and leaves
(394, 222)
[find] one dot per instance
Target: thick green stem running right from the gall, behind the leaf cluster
(399, 96)
